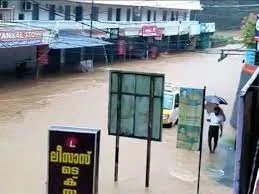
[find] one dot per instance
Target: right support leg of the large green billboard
(149, 137)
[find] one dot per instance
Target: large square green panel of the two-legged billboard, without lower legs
(135, 102)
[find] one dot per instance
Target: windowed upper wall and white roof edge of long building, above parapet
(140, 10)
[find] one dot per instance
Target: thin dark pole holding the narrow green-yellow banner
(201, 139)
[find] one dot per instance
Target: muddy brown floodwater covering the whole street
(28, 108)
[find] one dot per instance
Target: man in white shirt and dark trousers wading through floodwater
(216, 121)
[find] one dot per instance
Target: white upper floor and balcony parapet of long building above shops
(174, 17)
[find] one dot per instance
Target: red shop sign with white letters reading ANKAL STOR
(16, 35)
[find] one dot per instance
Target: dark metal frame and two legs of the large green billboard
(150, 113)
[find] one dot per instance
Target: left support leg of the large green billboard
(117, 144)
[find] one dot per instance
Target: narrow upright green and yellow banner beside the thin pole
(190, 118)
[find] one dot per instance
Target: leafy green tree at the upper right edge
(248, 30)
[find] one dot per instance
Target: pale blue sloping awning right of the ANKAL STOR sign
(76, 41)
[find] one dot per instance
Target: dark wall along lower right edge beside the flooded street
(249, 140)
